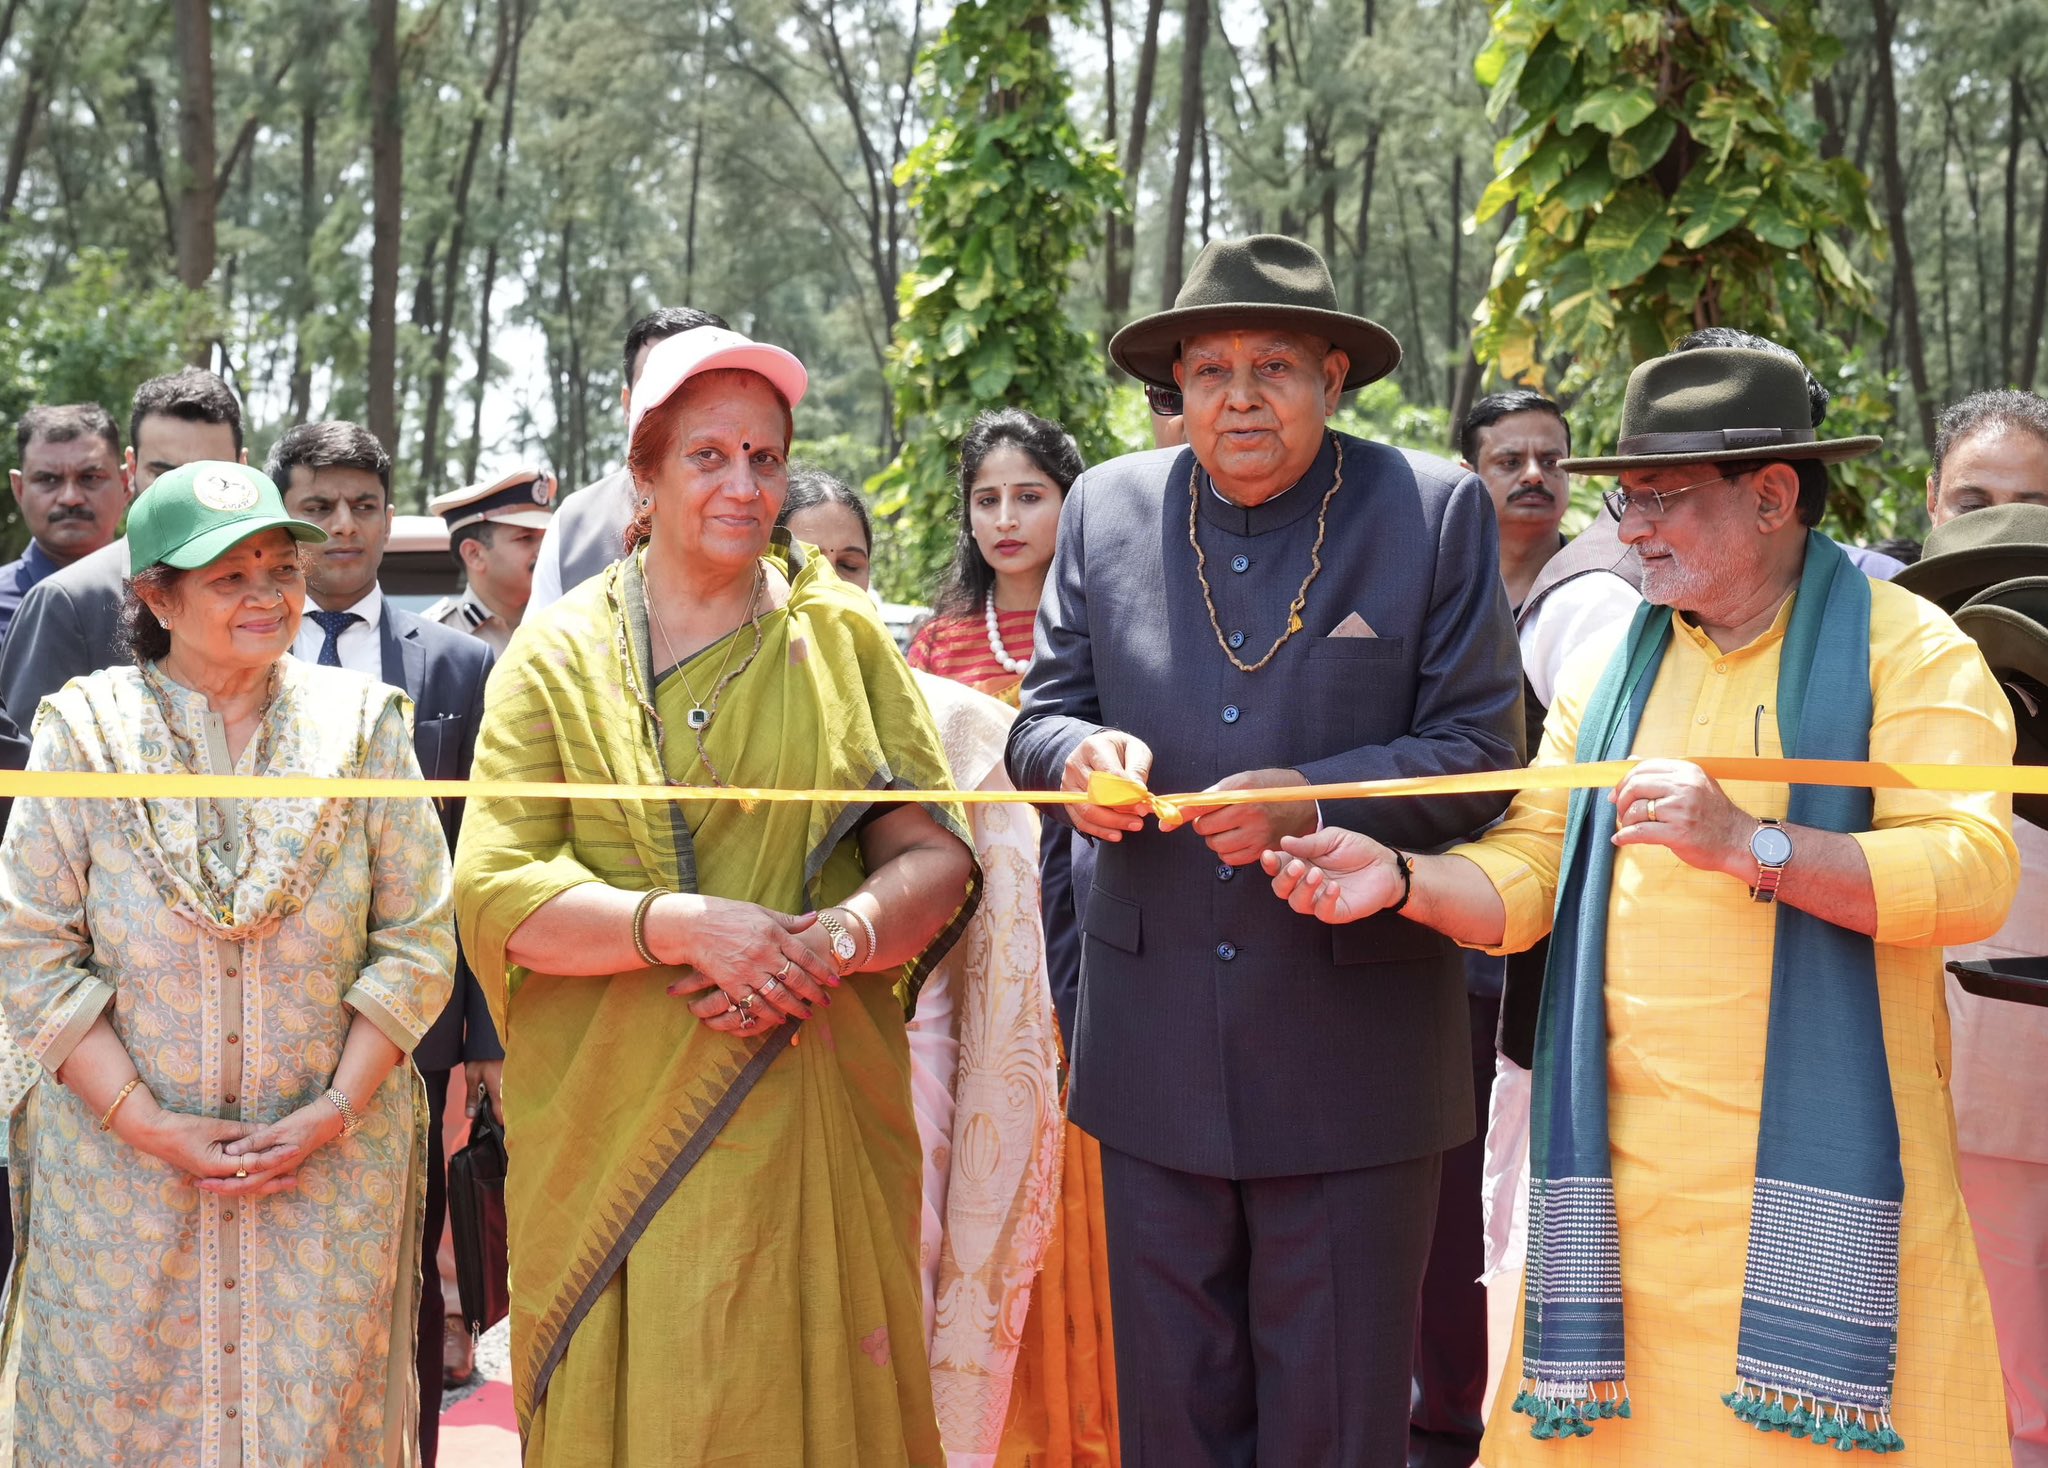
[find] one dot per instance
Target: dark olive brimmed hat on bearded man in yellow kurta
(1719, 404)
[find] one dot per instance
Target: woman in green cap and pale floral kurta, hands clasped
(228, 1164)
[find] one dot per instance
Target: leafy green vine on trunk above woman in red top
(1009, 202)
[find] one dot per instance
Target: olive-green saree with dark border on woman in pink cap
(714, 1238)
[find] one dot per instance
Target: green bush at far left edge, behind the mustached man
(95, 337)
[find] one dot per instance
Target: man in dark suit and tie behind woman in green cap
(339, 478)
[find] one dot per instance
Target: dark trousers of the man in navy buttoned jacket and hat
(1267, 1322)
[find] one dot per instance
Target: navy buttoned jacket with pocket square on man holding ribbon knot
(1222, 1033)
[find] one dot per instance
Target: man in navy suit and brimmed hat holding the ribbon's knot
(1271, 605)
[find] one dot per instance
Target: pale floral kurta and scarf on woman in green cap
(230, 945)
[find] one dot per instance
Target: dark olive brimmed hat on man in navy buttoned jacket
(1265, 282)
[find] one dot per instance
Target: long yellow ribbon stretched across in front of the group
(1103, 789)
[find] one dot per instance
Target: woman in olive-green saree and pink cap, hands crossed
(716, 1174)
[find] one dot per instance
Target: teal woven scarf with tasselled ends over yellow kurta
(1820, 1332)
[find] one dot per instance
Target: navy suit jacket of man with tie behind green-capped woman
(443, 673)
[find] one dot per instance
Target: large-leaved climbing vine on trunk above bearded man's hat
(1666, 175)
